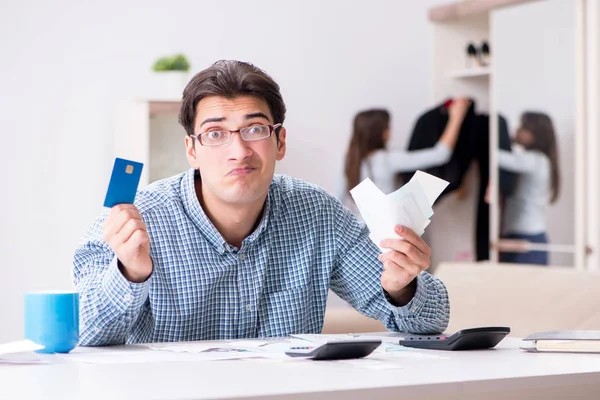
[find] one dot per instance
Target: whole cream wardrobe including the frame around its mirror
(454, 26)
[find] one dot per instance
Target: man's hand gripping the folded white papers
(407, 259)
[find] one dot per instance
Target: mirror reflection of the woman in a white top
(535, 158)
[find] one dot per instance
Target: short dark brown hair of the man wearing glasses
(230, 79)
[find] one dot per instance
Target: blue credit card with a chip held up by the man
(124, 182)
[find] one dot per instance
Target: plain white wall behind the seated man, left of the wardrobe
(65, 64)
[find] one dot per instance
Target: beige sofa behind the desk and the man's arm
(527, 299)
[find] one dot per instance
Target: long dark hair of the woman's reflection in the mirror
(544, 139)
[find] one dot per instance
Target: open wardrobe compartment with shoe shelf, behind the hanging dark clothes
(454, 75)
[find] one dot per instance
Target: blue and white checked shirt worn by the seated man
(276, 284)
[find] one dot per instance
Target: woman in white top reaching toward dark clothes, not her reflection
(368, 157)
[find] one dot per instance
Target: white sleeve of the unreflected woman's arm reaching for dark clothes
(406, 161)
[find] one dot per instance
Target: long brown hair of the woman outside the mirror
(367, 136)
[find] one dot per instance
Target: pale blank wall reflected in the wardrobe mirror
(534, 69)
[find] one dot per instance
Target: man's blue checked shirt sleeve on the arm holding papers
(356, 278)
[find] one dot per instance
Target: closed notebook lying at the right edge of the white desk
(563, 342)
